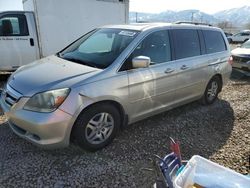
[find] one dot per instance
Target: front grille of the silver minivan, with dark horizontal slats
(10, 95)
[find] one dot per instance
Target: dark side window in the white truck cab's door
(13, 25)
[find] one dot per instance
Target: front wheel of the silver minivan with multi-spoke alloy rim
(96, 127)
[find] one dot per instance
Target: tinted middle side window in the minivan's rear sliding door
(186, 42)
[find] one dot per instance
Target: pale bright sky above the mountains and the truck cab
(154, 6)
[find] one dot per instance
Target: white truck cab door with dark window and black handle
(17, 43)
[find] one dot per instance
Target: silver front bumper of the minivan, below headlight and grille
(48, 130)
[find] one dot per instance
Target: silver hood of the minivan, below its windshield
(49, 73)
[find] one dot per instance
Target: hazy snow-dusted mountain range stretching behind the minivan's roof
(237, 16)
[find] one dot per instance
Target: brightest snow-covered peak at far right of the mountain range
(235, 15)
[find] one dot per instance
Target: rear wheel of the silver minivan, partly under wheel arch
(212, 90)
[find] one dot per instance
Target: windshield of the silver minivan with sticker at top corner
(99, 48)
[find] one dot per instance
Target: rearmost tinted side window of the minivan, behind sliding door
(214, 41)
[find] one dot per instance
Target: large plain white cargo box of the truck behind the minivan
(60, 22)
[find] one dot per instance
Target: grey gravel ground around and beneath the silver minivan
(219, 132)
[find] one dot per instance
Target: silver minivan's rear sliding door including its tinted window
(191, 67)
